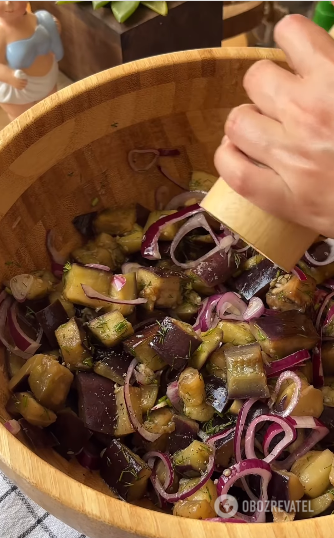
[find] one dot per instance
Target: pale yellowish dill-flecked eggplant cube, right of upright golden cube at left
(110, 328)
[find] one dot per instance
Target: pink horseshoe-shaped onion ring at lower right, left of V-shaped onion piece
(289, 437)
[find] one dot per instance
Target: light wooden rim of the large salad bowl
(94, 504)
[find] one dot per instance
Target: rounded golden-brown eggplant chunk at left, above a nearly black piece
(50, 382)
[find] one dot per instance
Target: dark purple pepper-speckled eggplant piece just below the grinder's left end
(216, 269)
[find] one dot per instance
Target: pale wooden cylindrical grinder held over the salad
(284, 243)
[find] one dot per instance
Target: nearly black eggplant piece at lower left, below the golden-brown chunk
(70, 432)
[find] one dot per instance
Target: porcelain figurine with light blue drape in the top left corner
(30, 49)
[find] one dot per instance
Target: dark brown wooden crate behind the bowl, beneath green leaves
(94, 40)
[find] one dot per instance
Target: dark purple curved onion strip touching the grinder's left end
(150, 247)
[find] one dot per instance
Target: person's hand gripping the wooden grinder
(289, 130)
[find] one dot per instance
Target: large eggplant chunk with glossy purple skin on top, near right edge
(284, 333)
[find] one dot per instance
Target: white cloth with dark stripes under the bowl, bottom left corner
(20, 517)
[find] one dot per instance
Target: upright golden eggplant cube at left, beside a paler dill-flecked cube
(70, 339)
